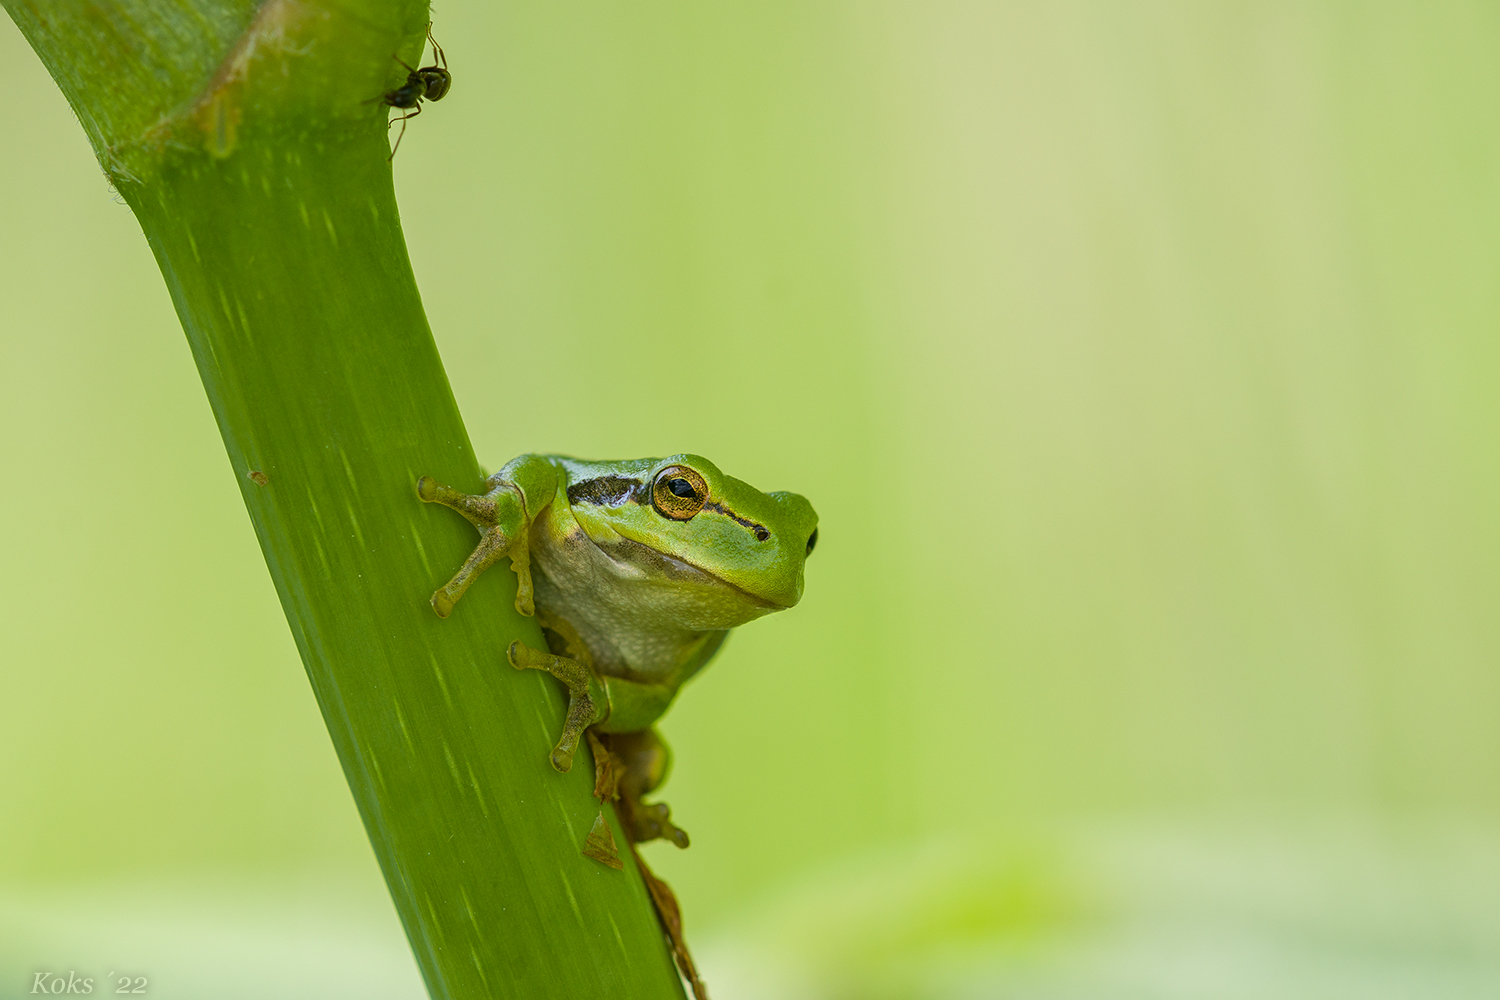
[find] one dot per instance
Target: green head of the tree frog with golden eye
(706, 522)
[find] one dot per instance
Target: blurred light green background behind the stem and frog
(1139, 358)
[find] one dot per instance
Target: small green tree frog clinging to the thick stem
(637, 570)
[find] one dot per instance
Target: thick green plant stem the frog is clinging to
(245, 140)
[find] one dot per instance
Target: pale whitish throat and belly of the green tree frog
(644, 617)
